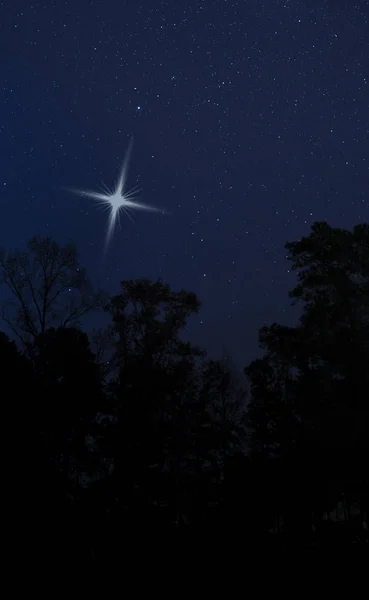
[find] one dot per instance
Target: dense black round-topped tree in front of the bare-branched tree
(63, 430)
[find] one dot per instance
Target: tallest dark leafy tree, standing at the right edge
(310, 391)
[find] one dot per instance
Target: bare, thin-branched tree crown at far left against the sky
(48, 287)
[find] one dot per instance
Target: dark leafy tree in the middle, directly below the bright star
(154, 390)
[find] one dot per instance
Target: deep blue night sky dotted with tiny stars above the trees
(250, 121)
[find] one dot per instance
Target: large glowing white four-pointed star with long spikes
(118, 200)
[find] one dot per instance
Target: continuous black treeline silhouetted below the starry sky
(134, 434)
